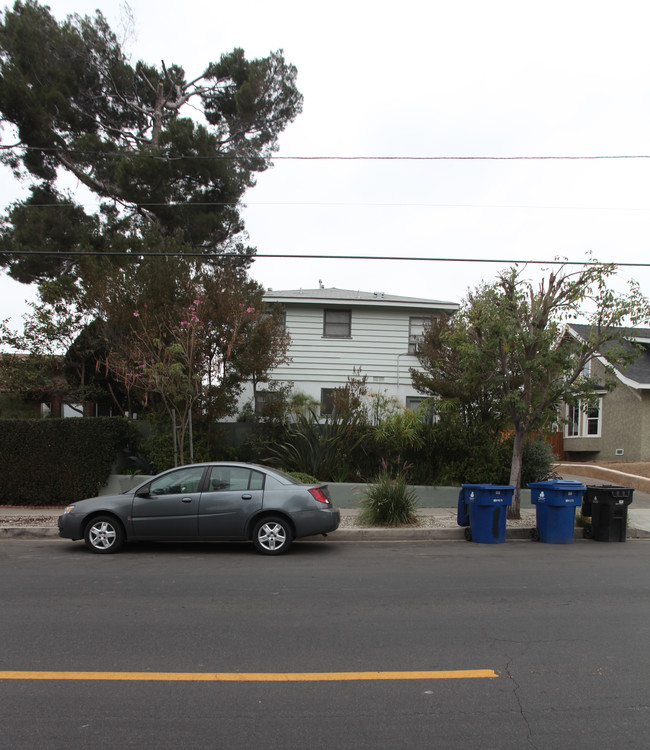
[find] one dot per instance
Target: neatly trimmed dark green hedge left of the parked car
(57, 461)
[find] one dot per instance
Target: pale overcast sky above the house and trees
(459, 78)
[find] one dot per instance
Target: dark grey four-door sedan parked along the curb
(205, 502)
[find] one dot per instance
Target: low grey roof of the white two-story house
(334, 296)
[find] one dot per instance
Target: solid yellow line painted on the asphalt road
(459, 674)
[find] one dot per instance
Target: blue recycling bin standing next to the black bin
(555, 505)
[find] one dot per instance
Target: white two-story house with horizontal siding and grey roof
(335, 331)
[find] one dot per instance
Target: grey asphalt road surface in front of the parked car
(563, 629)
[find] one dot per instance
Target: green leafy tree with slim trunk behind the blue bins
(509, 353)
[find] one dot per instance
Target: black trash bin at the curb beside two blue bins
(607, 506)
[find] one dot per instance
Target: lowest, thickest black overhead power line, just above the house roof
(321, 256)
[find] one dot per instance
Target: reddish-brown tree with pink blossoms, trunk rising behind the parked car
(194, 346)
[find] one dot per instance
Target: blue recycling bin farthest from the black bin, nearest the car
(487, 511)
